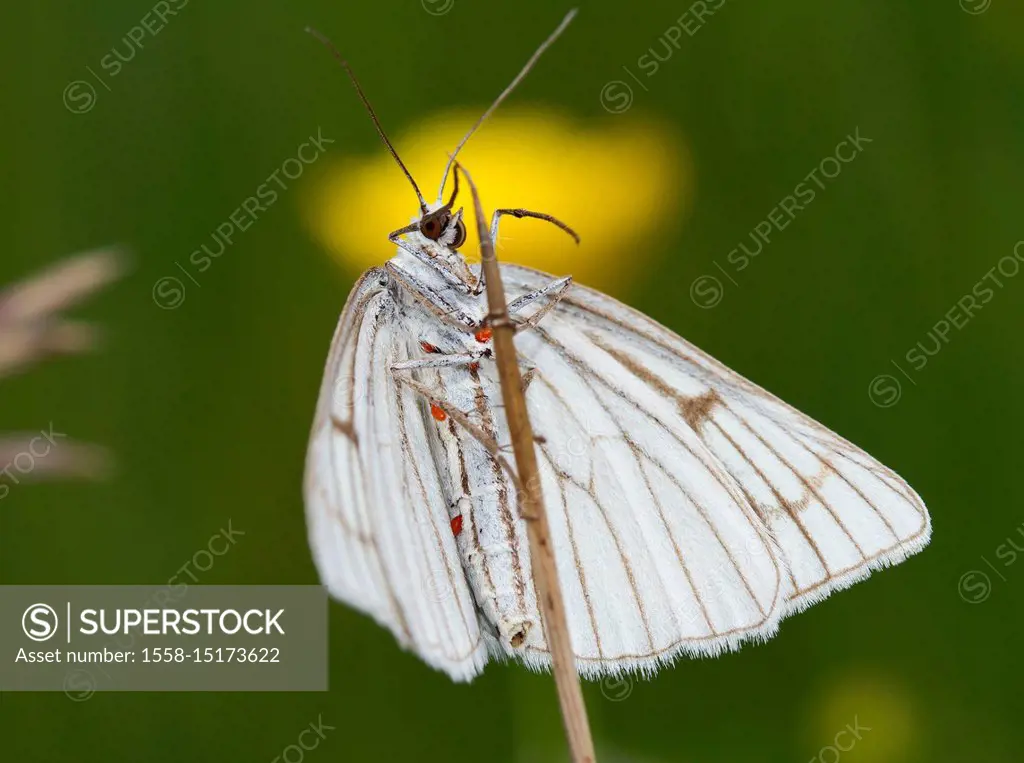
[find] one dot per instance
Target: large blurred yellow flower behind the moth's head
(619, 184)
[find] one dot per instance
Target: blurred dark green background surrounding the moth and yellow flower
(207, 407)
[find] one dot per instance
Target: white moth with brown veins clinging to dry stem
(691, 511)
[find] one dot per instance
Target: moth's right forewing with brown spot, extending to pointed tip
(836, 513)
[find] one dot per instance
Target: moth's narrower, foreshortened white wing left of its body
(377, 518)
